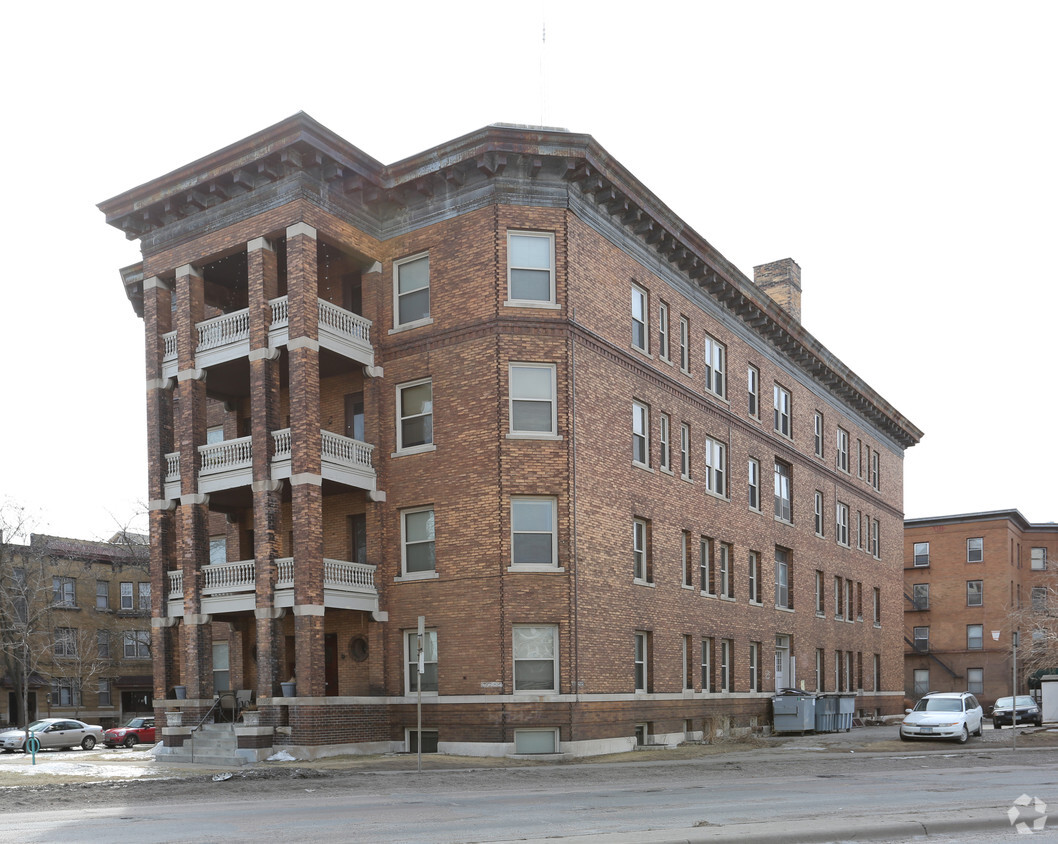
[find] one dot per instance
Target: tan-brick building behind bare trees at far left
(87, 609)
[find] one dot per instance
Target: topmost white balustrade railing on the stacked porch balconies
(227, 338)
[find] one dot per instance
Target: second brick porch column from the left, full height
(193, 515)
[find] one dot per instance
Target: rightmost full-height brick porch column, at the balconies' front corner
(306, 476)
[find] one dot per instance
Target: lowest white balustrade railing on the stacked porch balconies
(231, 588)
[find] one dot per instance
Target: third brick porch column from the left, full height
(264, 286)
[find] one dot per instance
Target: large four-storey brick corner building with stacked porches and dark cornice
(499, 386)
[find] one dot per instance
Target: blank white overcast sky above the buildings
(902, 153)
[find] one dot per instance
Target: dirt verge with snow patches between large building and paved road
(66, 779)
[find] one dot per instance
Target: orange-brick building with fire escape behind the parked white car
(965, 578)
